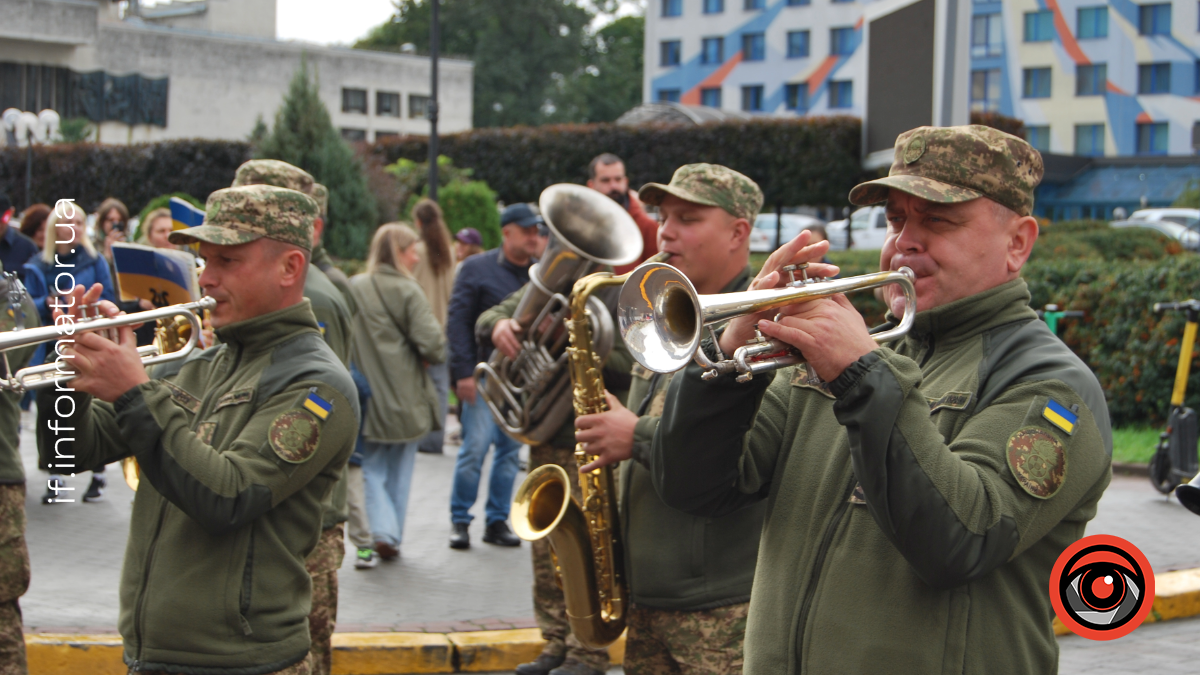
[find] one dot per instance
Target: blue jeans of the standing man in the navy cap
(479, 432)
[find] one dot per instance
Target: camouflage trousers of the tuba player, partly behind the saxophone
(549, 605)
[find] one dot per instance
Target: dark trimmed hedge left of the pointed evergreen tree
(89, 174)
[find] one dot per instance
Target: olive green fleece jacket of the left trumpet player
(233, 471)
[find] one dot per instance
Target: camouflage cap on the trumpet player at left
(239, 216)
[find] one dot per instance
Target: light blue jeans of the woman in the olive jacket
(388, 475)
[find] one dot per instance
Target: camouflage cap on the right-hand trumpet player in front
(959, 164)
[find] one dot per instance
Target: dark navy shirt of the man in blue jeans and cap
(484, 280)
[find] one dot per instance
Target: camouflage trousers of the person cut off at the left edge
(14, 580)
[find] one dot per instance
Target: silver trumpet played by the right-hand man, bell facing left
(663, 319)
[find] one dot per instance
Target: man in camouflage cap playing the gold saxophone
(689, 604)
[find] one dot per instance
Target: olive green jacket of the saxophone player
(675, 560)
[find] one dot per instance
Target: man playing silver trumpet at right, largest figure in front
(919, 493)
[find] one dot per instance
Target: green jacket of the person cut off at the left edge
(16, 310)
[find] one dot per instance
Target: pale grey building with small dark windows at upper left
(207, 69)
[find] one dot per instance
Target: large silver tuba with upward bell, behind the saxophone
(529, 396)
